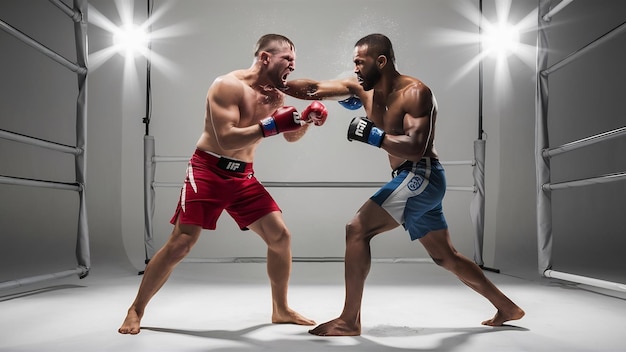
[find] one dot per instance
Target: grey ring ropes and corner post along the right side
(543, 152)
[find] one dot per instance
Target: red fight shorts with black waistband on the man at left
(215, 183)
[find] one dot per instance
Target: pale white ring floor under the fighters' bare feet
(226, 307)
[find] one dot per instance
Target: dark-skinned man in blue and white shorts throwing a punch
(401, 115)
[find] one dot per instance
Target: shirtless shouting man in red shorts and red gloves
(242, 108)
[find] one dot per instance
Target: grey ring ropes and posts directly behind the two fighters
(150, 184)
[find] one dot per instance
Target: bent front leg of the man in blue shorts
(369, 221)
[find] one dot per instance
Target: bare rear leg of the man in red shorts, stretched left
(158, 270)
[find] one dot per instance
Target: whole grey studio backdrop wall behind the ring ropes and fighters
(215, 37)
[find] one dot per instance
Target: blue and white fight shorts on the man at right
(413, 197)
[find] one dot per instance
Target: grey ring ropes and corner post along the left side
(78, 14)
